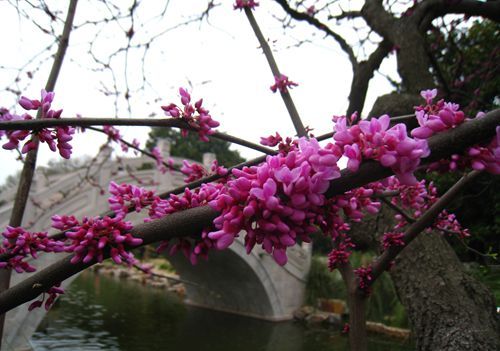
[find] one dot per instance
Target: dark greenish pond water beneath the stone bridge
(103, 313)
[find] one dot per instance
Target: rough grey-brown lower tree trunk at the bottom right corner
(447, 308)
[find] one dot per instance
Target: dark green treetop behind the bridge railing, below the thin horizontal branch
(191, 147)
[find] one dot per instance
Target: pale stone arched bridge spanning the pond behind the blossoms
(231, 281)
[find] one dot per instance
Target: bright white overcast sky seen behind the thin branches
(219, 61)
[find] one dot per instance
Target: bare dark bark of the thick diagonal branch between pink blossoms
(190, 222)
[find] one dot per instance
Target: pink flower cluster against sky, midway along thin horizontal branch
(202, 121)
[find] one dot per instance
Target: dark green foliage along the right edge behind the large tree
(468, 64)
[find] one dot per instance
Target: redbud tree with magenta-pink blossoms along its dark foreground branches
(280, 199)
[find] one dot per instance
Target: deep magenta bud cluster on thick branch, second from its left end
(91, 237)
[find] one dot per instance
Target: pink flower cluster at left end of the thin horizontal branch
(57, 138)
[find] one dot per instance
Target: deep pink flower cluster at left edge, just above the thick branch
(19, 244)
